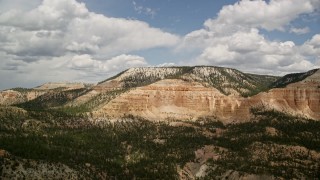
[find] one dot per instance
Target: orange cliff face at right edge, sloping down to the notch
(301, 98)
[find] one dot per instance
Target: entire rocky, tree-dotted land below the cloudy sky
(164, 123)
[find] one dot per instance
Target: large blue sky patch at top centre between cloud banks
(176, 16)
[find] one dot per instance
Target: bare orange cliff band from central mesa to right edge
(188, 100)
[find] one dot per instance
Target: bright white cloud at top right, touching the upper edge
(273, 15)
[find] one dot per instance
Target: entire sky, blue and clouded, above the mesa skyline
(90, 40)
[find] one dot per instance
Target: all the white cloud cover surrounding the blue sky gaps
(62, 40)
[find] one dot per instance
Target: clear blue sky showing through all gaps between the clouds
(183, 16)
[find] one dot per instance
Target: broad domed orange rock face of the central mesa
(175, 99)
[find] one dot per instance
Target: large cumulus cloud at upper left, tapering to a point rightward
(56, 28)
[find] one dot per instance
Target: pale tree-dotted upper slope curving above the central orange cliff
(227, 81)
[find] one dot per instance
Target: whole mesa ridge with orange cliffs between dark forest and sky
(161, 93)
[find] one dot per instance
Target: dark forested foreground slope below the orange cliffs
(272, 145)
